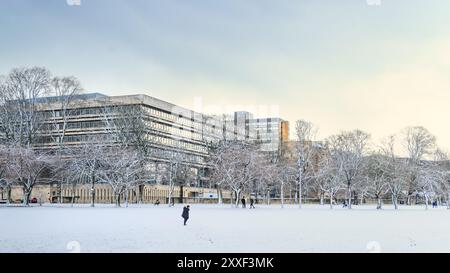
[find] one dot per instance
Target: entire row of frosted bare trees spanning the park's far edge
(346, 165)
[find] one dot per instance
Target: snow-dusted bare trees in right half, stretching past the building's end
(346, 165)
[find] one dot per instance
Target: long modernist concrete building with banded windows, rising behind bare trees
(167, 127)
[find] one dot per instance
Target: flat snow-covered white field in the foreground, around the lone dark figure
(213, 228)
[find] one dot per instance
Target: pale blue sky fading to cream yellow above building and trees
(339, 64)
